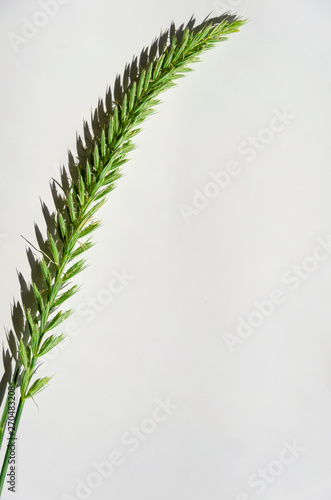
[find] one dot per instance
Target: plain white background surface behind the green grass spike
(163, 335)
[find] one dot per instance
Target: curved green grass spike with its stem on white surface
(86, 185)
